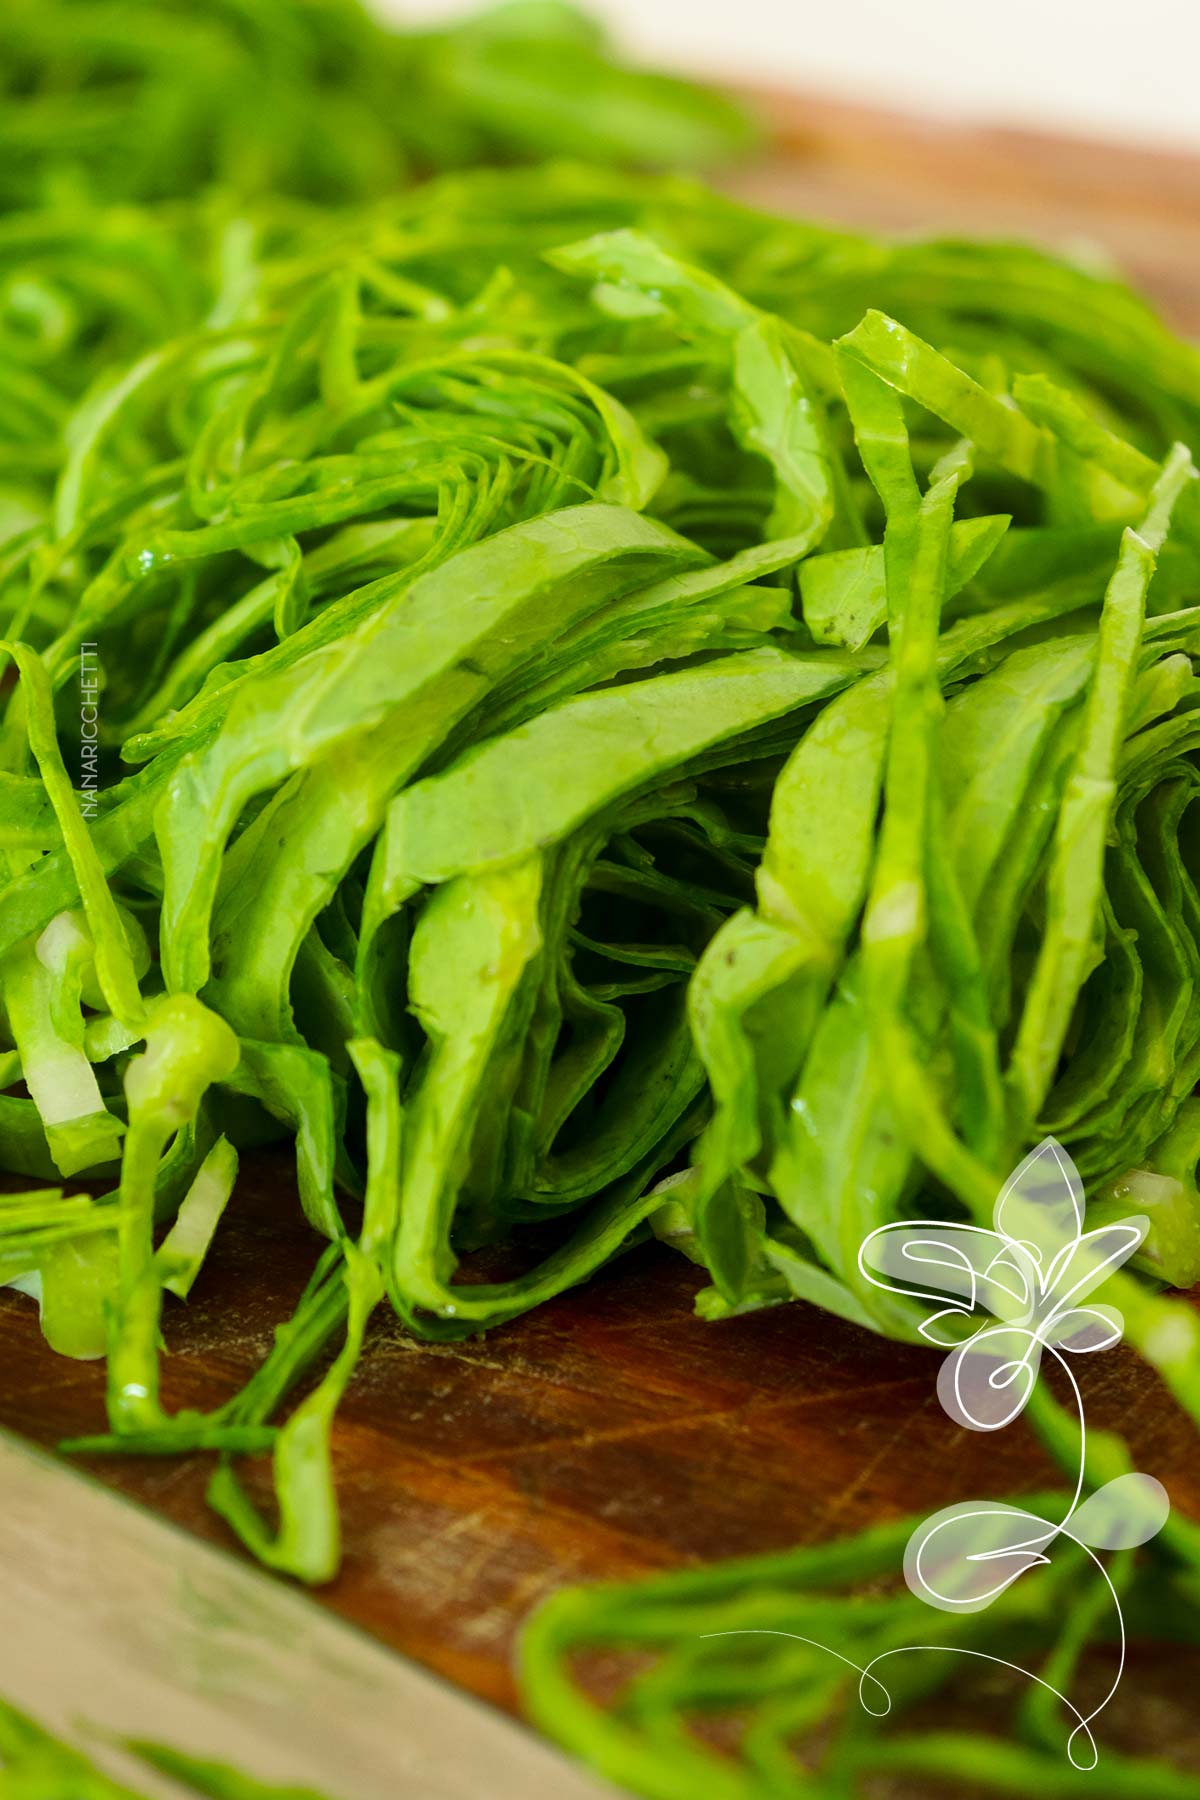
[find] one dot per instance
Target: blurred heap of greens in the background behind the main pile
(316, 100)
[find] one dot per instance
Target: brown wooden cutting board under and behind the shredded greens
(613, 1434)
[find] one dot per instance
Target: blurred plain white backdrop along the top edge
(1116, 67)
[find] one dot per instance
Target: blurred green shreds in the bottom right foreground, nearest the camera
(724, 1675)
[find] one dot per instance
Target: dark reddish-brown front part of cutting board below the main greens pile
(605, 1435)
